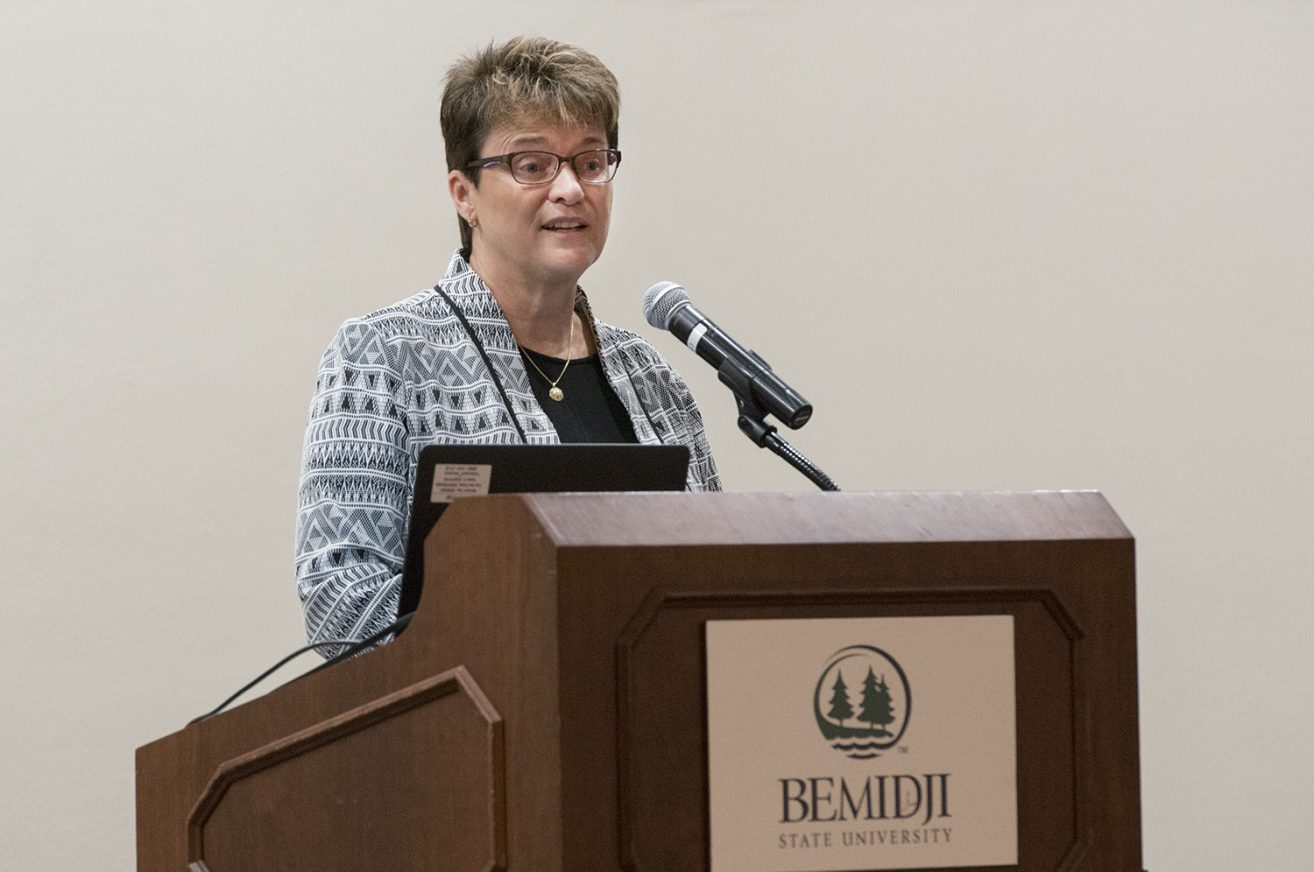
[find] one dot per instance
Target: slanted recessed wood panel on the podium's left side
(315, 800)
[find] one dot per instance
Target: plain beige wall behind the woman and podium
(1008, 245)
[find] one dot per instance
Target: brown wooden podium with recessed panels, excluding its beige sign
(546, 711)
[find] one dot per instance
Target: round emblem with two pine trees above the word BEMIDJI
(884, 699)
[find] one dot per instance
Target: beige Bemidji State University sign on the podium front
(861, 744)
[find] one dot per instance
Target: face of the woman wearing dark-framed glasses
(535, 236)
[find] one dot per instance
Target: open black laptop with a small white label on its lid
(449, 472)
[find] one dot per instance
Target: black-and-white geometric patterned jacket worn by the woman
(422, 372)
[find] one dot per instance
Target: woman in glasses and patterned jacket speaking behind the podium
(503, 350)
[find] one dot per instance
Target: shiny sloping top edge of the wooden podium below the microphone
(584, 521)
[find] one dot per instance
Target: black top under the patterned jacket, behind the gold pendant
(591, 410)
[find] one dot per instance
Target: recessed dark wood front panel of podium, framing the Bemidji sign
(652, 687)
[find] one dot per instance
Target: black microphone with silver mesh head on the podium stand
(667, 307)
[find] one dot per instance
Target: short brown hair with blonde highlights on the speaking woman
(524, 81)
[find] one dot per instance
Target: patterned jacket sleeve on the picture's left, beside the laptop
(355, 492)
